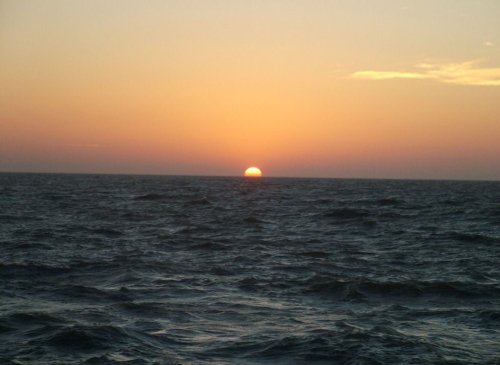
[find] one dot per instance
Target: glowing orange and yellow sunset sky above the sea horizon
(340, 88)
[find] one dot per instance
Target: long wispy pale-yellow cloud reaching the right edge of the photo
(464, 73)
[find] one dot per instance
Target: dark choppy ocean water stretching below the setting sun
(204, 270)
